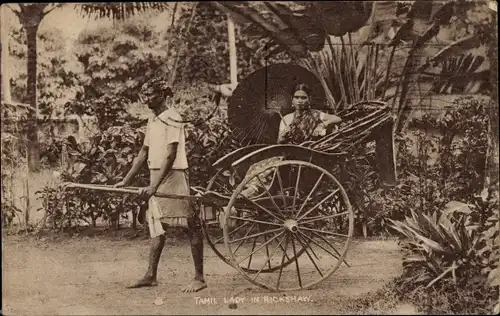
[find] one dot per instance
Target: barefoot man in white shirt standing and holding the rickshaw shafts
(164, 150)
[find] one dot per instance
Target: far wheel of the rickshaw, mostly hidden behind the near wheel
(208, 227)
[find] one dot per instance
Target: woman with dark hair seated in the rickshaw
(302, 125)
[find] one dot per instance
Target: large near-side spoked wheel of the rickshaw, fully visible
(308, 233)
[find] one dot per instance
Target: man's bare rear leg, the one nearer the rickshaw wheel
(196, 239)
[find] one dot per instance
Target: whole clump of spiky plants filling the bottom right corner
(453, 249)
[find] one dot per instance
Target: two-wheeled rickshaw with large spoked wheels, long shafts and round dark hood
(294, 230)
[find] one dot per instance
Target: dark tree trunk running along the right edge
(491, 180)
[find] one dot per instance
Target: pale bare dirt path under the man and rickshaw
(87, 276)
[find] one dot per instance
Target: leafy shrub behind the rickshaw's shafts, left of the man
(104, 159)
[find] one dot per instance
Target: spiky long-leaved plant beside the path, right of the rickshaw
(439, 247)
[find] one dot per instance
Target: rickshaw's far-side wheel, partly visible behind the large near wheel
(211, 228)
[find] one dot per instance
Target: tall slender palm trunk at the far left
(32, 128)
